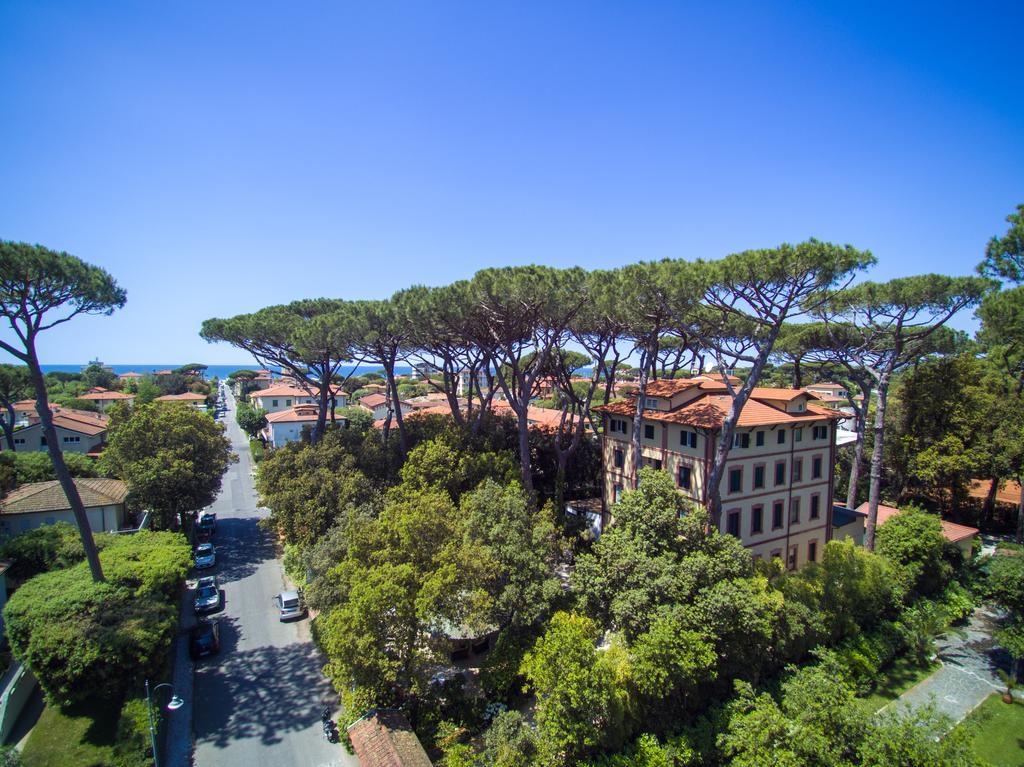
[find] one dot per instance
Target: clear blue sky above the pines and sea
(219, 157)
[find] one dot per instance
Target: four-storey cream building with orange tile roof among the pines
(778, 486)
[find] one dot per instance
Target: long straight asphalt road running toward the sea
(259, 703)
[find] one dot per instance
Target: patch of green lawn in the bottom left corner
(74, 739)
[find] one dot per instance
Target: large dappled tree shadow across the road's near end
(265, 693)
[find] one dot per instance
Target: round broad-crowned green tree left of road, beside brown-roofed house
(173, 458)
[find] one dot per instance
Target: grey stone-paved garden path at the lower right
(967, 677)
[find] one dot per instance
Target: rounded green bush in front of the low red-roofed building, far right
(913, 542)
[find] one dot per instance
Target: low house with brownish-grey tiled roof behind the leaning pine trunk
(36, 504)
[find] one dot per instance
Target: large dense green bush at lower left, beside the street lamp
(96, 642)
